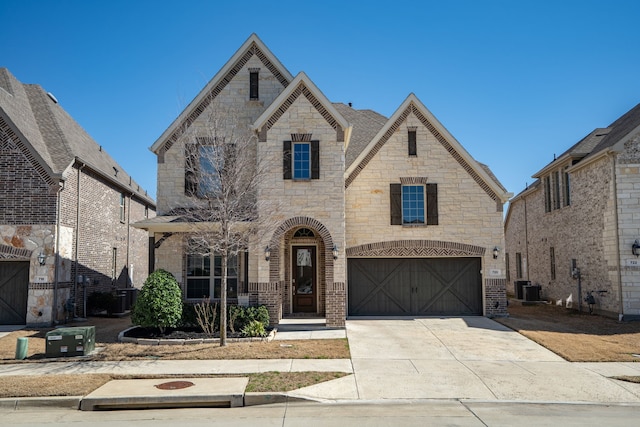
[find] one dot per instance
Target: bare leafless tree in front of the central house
(222, 175)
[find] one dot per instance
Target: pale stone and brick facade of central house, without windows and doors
(340, 210)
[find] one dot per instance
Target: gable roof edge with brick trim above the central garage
(412, 104)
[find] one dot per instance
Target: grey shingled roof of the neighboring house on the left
(52, 138)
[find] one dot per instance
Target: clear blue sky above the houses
(514, 81)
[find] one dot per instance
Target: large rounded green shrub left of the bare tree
(159, 303)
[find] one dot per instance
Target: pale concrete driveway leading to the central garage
(467, 358)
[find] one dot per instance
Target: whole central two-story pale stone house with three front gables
(381, 216)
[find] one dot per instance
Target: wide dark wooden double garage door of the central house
(415, 287)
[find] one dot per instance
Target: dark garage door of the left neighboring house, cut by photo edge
(14, 288)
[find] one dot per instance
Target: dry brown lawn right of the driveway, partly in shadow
(577, 337)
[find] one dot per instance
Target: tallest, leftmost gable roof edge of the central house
(253, 46)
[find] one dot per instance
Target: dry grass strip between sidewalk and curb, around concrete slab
(81, 385)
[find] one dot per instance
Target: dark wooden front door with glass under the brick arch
(303, 279)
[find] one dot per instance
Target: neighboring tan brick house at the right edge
(583, 211)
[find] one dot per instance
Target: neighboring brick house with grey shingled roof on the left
(65, 212)
